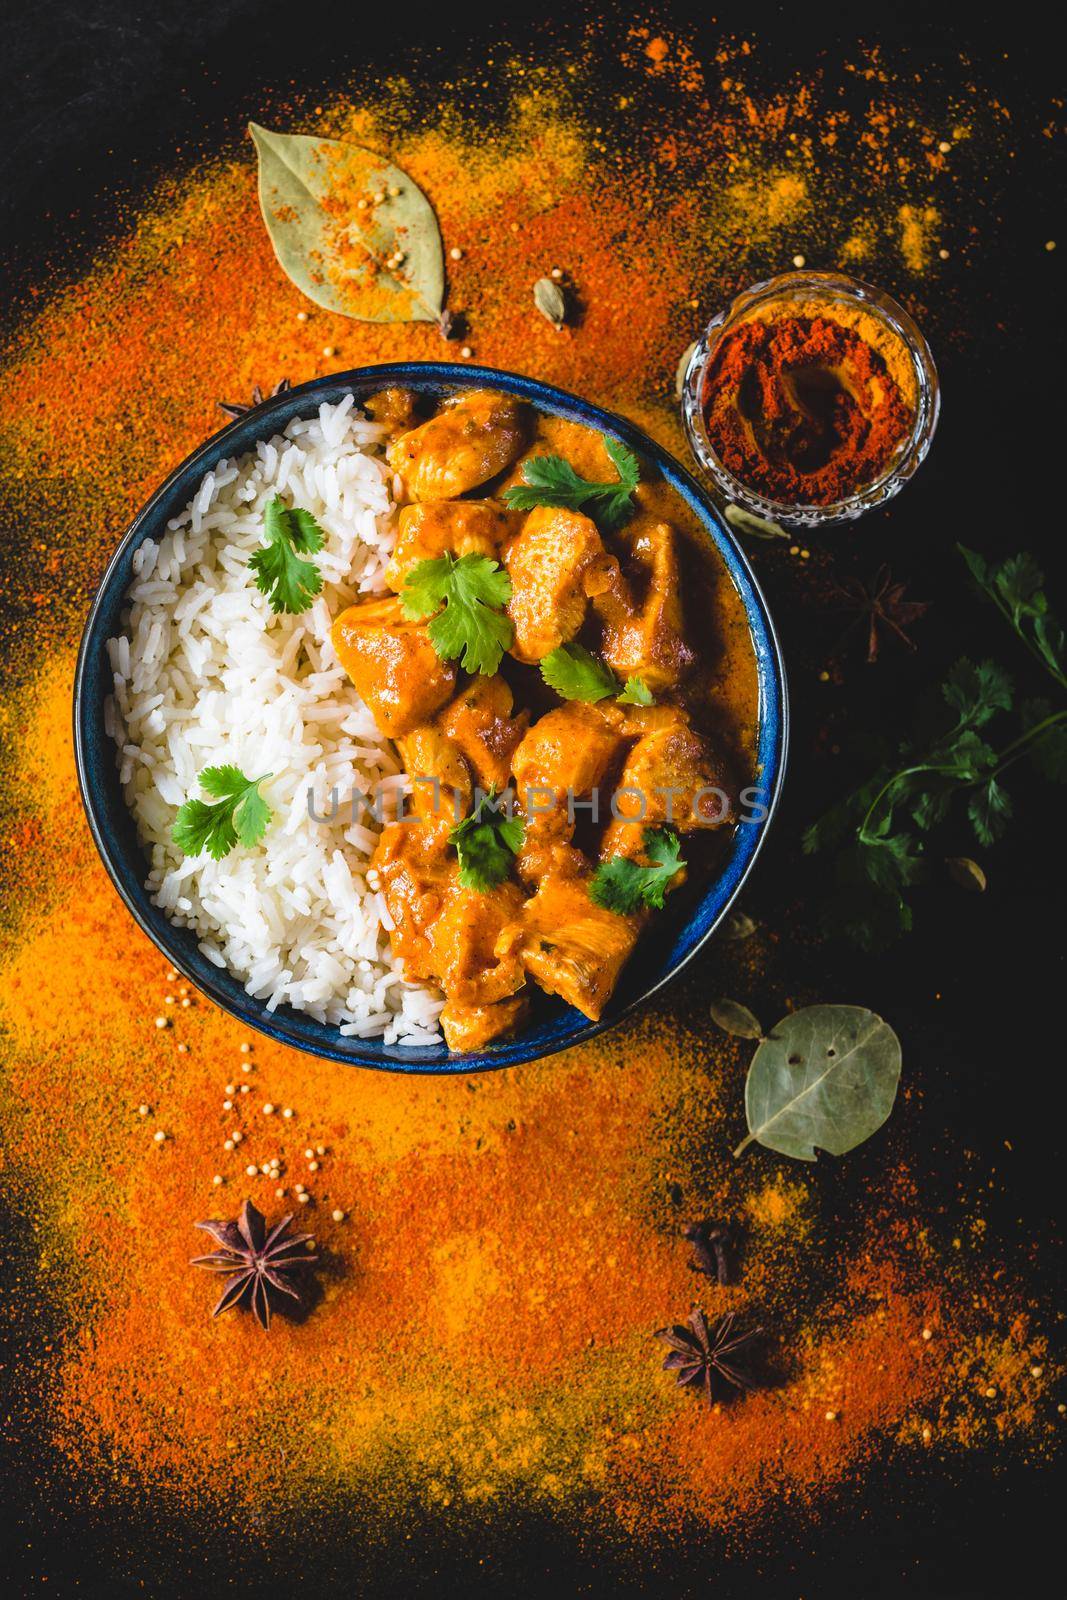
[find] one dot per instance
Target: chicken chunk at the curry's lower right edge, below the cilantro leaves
(575, 948)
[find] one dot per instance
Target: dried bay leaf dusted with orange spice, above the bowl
(338, 217)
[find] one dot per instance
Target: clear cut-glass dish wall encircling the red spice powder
(807, 289)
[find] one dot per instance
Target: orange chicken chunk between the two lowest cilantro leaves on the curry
(565, 758)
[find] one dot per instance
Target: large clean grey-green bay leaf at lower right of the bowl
(826, 1078)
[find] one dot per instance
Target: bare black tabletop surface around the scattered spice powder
(100, 98)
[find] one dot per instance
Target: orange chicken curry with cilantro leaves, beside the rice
(569, 678)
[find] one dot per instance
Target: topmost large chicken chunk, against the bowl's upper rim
(470, 442)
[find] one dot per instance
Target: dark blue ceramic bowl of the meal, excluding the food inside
(665, 950)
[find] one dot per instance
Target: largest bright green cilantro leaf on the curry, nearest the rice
(468, 596)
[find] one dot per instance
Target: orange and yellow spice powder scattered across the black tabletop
(510, 1242)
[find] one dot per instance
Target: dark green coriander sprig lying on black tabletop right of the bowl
(879, 831)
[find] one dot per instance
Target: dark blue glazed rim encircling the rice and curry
(271, 417)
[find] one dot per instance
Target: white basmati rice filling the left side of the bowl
(207, 674)
